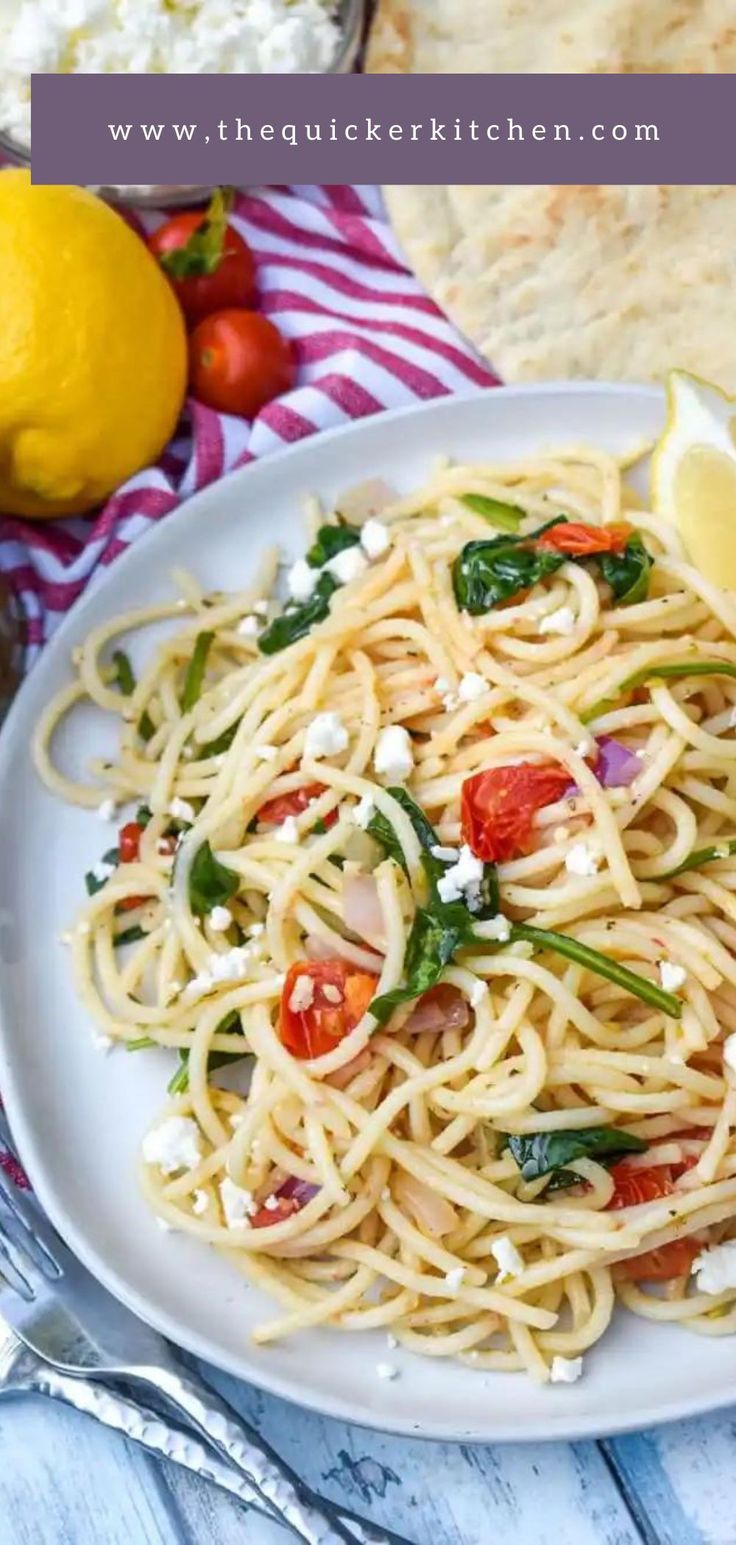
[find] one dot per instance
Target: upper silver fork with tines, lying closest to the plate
(67, 1319)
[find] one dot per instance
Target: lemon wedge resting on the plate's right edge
(695, 474)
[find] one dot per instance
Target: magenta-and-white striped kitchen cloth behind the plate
(366, 338)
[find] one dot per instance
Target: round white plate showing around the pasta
(80, 1116)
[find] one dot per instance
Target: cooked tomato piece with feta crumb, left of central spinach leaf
(333, 997)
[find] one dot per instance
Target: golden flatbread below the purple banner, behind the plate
(612, 284)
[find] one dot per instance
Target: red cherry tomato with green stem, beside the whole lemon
(206, 262)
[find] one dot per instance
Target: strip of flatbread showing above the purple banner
(553, 38)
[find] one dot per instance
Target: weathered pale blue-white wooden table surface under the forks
(66, 1481)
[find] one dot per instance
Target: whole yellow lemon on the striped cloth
(94, 353)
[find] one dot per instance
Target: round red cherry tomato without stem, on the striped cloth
(239, 362)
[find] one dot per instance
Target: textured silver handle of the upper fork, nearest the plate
(315, 1521)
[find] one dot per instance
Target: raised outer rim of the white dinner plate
(559, 1427)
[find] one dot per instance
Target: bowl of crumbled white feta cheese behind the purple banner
(165, 38)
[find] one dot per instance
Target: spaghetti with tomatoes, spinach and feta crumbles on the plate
(426, 877)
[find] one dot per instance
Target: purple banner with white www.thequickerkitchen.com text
(384, 129)
